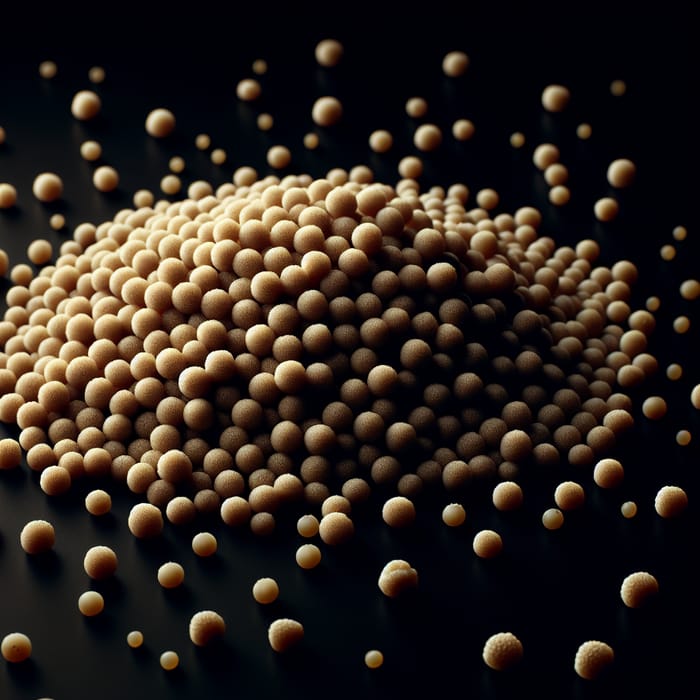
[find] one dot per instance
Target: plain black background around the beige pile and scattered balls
(553, 589)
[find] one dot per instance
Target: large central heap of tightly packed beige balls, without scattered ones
(286, 339)
